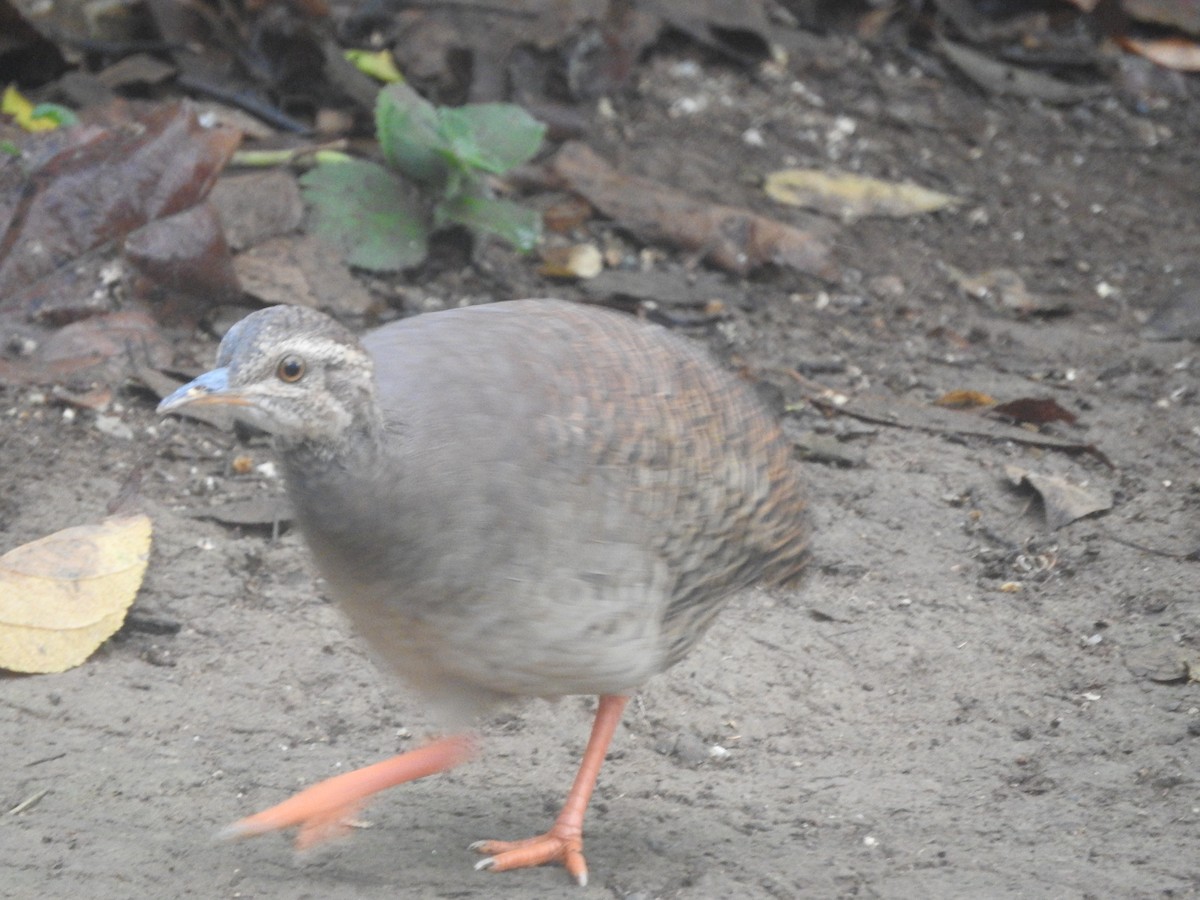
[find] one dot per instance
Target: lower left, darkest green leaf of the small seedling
(374, 217)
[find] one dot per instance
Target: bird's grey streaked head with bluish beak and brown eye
(290, 371)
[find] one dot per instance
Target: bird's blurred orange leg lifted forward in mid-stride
(327, 809)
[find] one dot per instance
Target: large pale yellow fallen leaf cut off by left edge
(65, 595)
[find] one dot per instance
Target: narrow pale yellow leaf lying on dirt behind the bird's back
(853, 197)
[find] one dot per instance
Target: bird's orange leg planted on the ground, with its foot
(565, 841)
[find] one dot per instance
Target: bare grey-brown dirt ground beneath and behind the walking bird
(901, 728)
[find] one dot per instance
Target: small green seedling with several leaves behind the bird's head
(439, 164)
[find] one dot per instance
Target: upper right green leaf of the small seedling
(494, 137)
